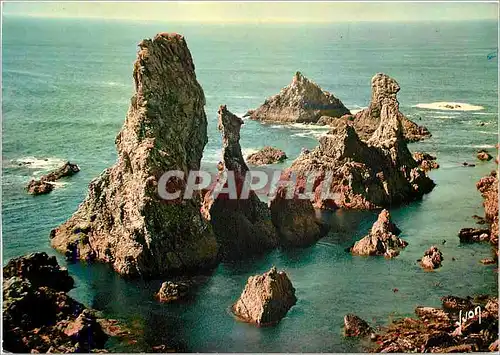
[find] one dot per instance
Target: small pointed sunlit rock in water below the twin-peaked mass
(382, 240)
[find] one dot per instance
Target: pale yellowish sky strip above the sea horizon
(241, 12)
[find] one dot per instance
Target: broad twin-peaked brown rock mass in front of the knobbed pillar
(364, 175)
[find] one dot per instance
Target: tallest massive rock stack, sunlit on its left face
(123, 221)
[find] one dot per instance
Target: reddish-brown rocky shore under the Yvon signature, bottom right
(438, 331)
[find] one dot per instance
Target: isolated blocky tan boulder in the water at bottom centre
(266, 298)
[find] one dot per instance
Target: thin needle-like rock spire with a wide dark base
(242, 226)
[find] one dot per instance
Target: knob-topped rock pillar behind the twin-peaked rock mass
(366, 122)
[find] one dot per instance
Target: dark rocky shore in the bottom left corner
(38, 315)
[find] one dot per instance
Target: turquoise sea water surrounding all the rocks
(66, 89)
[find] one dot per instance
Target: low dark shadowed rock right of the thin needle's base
(294, 218)
